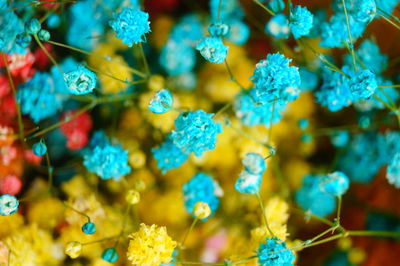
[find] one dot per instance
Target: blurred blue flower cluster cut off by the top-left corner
(10, 26)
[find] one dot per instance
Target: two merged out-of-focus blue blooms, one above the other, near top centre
(178, 55)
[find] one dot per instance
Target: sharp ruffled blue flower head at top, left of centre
(131, 25)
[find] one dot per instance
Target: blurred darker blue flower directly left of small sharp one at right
(334, 92)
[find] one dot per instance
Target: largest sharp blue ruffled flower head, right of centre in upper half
(274, 78)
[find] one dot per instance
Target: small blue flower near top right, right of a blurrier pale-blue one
(301, 21)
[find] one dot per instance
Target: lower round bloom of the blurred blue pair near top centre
(177, 57)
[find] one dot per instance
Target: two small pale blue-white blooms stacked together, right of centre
(250, 178)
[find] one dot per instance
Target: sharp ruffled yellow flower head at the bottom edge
(150, 246)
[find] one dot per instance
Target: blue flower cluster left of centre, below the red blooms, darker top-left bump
(106, 160)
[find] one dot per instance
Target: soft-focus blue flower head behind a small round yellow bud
(203, 188)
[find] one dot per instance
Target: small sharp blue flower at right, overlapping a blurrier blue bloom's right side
(363, 84)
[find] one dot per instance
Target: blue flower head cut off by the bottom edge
(274, 252)
